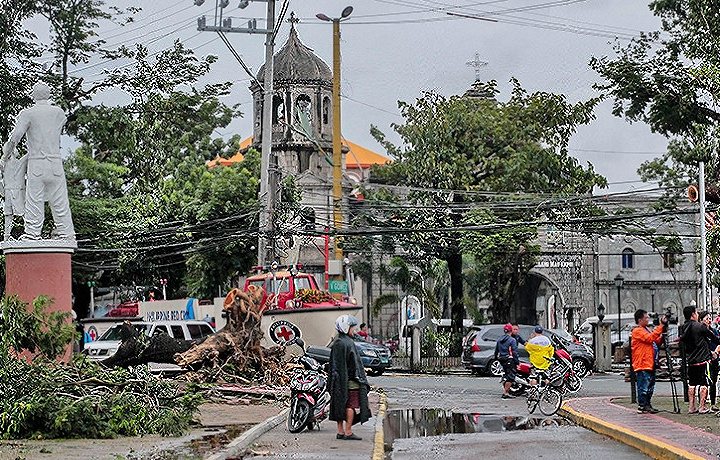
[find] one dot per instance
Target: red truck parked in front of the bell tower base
(289, 289)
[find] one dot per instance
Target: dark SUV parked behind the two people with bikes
(479, 349)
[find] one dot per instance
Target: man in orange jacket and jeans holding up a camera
(644, 345)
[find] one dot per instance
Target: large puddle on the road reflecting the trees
(413, 423)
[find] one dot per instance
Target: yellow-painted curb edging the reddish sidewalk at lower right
(650, 446)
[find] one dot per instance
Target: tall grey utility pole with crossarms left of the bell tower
(268, 178)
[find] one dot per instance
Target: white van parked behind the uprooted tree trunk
(108, 343)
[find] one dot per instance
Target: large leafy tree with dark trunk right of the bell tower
(461, 150)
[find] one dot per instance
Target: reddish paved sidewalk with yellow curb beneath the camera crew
(664, 435)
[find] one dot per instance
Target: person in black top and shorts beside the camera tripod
(695, 337)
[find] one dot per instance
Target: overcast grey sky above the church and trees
(393, 50)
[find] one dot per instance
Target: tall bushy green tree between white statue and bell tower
(145, 203)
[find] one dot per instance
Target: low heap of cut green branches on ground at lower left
(82, 400)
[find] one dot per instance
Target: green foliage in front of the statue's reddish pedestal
(47, 334)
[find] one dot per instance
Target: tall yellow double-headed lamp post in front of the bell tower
(337, 134)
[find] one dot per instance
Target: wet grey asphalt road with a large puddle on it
(459, 417)
